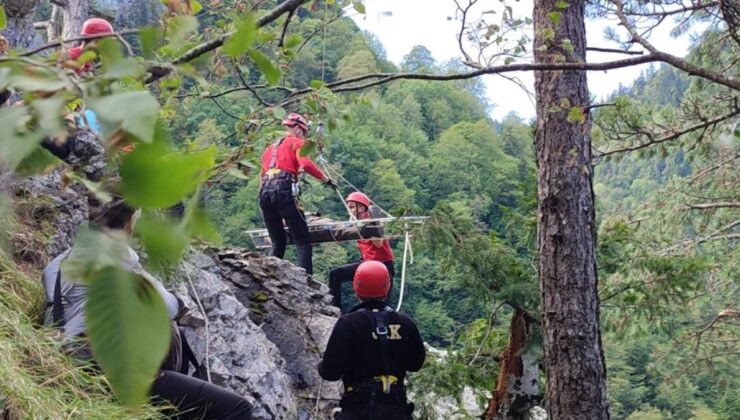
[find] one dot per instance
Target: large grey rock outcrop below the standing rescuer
(268, 323)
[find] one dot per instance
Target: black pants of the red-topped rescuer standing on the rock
(277, 204)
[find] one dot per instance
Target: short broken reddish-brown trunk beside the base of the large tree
(517, 388)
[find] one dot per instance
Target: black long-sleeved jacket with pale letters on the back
(354, 356)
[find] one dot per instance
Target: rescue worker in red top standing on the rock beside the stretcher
(278, 196)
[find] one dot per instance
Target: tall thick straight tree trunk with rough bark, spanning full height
(574, 361)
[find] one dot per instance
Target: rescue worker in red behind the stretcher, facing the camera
(373, 249)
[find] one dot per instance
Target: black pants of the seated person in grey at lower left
(198, 399)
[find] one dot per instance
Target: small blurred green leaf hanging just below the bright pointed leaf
(163, 240)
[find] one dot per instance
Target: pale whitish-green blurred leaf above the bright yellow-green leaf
(135, 112)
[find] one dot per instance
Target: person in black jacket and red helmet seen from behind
(370, 349)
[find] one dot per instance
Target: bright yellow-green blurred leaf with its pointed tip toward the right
(156, 178)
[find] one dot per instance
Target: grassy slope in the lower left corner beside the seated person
(37, 380)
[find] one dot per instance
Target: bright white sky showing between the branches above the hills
(425, 22)
